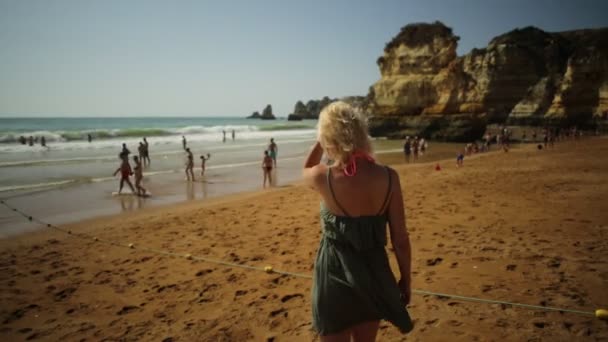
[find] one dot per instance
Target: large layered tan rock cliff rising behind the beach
(526, 76)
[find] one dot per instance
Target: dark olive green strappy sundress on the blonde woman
(353, 282)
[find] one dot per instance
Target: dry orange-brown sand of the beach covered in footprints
(526, 226)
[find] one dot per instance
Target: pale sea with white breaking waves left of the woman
(69, 158)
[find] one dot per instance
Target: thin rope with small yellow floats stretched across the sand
(599, 313)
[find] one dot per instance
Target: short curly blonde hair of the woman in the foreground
(343, 131)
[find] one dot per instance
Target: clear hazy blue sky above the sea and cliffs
(110, 58)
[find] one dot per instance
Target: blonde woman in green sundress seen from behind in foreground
(354, 287)
